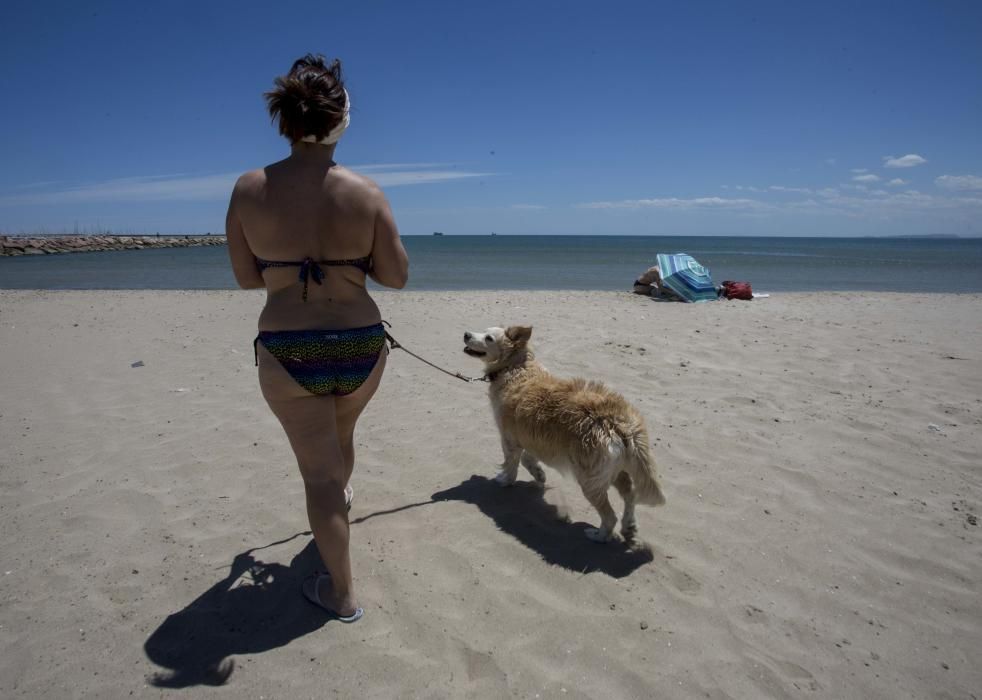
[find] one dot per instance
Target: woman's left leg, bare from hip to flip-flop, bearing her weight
(310, 424)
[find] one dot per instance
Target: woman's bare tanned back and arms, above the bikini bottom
(307, 206)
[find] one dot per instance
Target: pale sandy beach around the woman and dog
(821, 455)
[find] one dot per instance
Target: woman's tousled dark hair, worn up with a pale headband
(309, 100)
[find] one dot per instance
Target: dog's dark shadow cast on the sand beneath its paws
(522, 511)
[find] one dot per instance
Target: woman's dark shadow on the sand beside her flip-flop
(256, 607)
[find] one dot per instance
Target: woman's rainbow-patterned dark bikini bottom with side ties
(326, 362)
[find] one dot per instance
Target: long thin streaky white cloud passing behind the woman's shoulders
(157, 188)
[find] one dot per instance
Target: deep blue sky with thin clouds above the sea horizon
(696, 118)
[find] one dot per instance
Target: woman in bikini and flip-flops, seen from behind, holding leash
(310, 231)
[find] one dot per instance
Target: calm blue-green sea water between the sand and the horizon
(770, 264)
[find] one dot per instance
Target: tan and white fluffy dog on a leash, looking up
(573, 425)
